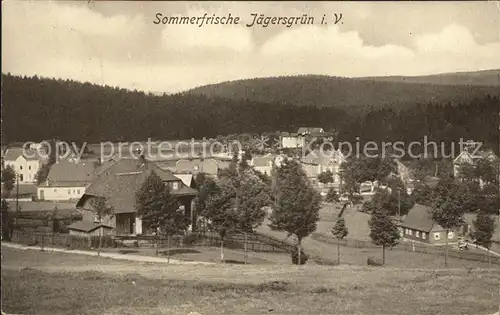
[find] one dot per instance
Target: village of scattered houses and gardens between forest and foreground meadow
(58, 197)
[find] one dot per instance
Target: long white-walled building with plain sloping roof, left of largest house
(68, 179)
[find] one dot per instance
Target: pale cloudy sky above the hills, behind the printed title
(118, 44)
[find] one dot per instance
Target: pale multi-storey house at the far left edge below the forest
(25, 163)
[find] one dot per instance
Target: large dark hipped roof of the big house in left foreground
(120, 182)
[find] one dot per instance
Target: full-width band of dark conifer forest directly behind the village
(35, 109)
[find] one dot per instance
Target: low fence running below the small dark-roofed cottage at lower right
(414, 247)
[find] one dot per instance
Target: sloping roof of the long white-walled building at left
(66, 173)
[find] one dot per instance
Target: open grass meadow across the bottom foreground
(36, 282)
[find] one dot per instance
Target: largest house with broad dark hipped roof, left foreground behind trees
(118, 184)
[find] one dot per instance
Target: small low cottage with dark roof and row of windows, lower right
(419, 226)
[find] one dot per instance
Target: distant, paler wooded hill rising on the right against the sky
(349, 93)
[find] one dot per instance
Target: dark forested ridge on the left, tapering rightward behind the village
(38, 108)
